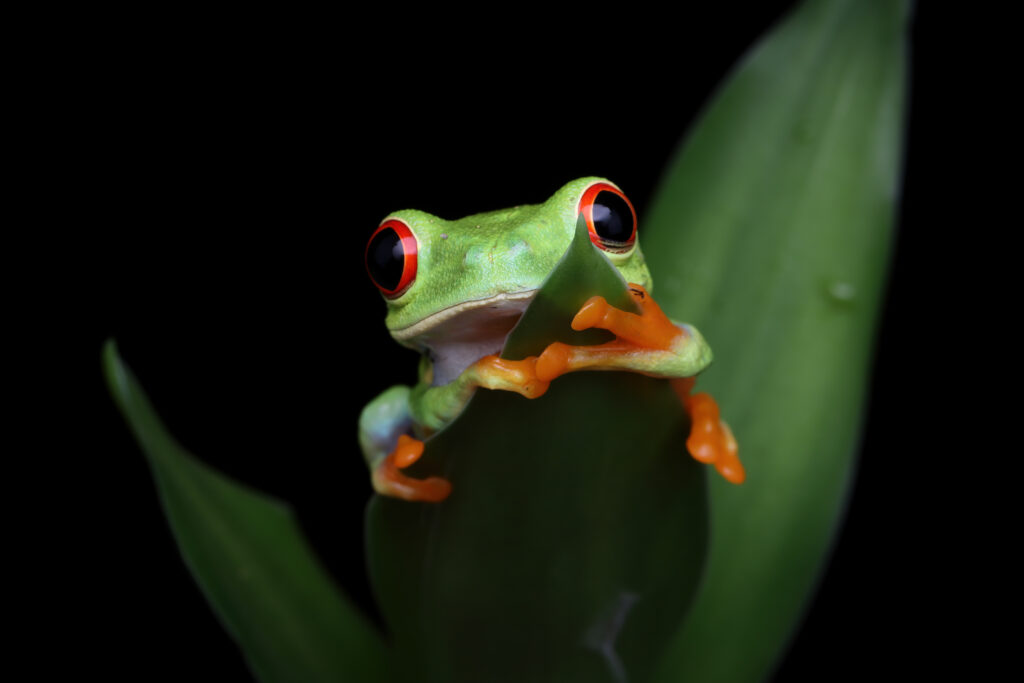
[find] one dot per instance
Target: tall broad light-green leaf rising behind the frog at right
(772, 233)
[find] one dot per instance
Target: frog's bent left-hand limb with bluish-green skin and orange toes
(387, 423)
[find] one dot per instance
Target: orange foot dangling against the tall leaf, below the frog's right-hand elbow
(711, 440)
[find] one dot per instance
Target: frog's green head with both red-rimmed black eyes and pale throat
(456, 288)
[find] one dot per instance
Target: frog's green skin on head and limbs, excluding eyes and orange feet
(475, 278)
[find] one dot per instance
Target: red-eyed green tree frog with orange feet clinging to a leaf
(455, 290)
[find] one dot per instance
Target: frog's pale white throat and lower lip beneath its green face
(460, 335)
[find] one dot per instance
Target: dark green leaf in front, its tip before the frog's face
(573, 543)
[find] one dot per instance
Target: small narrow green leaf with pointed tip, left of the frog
(249, 558)
